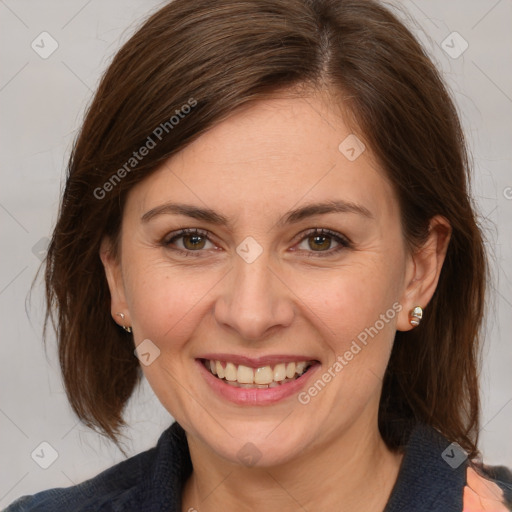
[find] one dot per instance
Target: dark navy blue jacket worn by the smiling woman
(431, 479)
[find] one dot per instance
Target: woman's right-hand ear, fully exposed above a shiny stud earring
(423, 270)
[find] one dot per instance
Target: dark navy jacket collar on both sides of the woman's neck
(431, 478)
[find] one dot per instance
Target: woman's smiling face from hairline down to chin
(254, 287)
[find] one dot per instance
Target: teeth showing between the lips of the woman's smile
(257, 378)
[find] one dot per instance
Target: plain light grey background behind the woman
(42, 102)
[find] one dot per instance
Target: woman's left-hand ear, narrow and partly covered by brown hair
(112, 266)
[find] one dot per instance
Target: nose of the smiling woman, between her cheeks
(255, 299)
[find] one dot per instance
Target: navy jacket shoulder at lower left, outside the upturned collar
(119, 483)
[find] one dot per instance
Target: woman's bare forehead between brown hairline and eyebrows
(271, 156)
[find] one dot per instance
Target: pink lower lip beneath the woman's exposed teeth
(256, 396)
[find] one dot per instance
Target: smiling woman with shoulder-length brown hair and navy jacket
(269, 202)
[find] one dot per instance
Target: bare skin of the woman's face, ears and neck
(264, 160)
